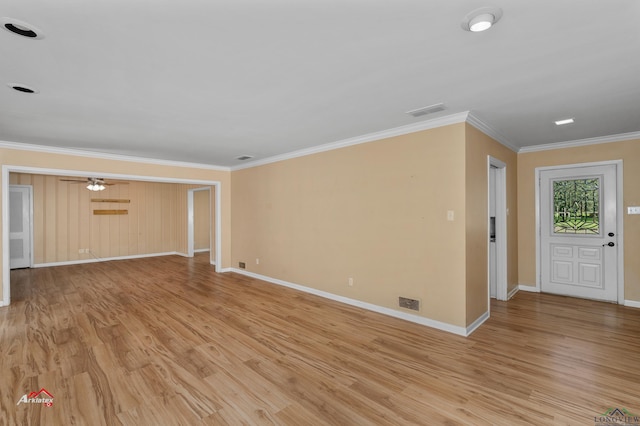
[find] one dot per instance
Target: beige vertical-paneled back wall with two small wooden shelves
(65, 228)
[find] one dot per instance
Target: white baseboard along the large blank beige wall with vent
(461, 331)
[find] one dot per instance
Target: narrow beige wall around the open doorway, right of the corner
(478, 147)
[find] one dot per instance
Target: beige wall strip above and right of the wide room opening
(16, 157)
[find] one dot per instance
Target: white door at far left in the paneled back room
(19, 226)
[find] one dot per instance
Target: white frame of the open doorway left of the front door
(501, 228)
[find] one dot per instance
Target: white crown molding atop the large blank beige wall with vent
(370, 137)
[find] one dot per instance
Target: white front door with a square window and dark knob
(579, 251)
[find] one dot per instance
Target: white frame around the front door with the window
(619, 219)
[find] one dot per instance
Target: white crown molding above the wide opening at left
(105, 156)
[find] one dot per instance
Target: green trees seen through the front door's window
(576, 206)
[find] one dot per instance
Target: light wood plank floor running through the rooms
(166, 341)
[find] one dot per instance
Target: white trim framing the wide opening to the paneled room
(7, 168)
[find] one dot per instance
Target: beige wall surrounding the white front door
(629, 153)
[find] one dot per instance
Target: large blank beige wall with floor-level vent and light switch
(376, 212)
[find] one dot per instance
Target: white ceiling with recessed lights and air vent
(206, 81)
